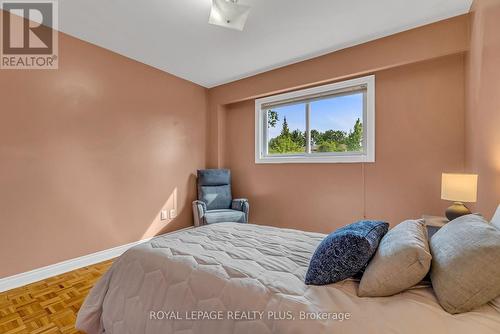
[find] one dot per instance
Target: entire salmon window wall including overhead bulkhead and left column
(419, 124)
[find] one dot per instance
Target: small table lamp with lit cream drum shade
(458, 188)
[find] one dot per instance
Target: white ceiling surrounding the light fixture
(174, 36)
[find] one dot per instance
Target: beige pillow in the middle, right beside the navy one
(402, 260)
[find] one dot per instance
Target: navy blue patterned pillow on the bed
(345, 252)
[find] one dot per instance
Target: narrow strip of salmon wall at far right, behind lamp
(483, 103)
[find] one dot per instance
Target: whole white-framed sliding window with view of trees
(327, 124)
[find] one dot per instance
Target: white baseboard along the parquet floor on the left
(15, 281)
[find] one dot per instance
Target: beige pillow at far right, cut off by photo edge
(465, 270)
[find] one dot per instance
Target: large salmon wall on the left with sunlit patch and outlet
(90, 153)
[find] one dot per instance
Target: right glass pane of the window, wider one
(337, 124)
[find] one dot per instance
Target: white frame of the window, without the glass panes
(368, 154)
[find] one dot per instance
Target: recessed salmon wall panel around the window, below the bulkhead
(420, 133)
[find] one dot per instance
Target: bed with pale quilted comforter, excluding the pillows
(245, 278)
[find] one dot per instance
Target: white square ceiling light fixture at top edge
(229, 14)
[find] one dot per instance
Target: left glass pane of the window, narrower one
(286, 129)
